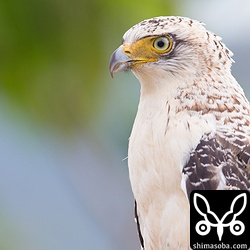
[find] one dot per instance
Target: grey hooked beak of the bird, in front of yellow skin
(119, 61)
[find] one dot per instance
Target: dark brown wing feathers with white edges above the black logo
(213, 157)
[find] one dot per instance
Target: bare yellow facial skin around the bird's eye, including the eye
(148, 49)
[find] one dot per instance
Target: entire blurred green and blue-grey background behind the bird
(65, 123)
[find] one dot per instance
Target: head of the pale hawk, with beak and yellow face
(170, 46)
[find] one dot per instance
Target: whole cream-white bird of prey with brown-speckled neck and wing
(192, 128)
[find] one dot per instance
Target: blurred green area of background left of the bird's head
(55, 55)
